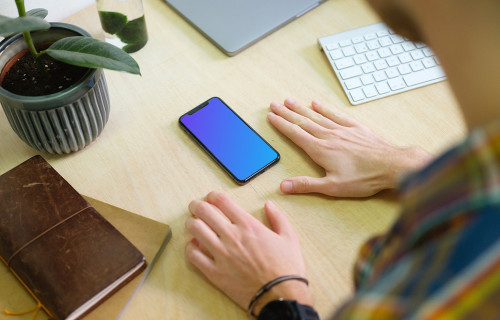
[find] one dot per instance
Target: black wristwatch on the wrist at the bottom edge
(287, 310)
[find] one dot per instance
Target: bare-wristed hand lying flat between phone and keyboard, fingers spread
(357, 162)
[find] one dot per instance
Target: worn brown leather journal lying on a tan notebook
(63, 251)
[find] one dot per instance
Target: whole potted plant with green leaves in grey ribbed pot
(52, 87)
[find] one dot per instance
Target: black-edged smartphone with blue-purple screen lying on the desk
(231, 142)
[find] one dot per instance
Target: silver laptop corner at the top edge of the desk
(233, 25)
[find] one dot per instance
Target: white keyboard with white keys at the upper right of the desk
(372, 62)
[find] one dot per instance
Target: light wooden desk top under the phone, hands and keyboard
(145, 163)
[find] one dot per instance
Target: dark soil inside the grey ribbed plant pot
(27, 79)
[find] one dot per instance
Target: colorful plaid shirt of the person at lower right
(441, 259)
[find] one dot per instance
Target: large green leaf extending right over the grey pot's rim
(92, 53)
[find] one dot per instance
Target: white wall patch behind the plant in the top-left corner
(58, 9)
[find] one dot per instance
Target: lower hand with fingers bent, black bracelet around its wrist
(239, 254)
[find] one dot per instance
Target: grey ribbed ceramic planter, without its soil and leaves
(62, 122)
